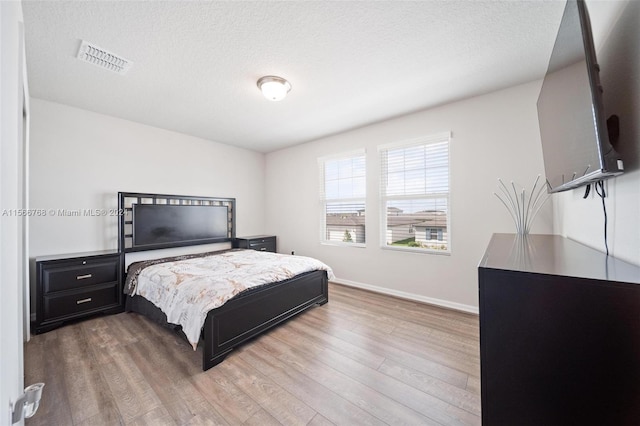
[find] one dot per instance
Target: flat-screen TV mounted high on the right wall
(573, 128)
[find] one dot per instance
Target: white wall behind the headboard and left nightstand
(80, 160)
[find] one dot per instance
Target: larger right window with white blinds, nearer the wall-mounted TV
(415, 194)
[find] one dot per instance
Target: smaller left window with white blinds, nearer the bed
(342, 198)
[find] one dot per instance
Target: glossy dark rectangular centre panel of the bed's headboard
(166, 224)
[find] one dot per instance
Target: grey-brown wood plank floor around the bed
(363, 358)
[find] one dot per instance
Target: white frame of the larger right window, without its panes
(384, 198)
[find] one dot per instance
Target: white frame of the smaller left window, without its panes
(324, 200)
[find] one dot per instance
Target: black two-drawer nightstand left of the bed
(76, 285)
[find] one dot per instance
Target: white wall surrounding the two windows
(493, 136)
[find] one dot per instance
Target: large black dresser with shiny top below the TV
(559, 334)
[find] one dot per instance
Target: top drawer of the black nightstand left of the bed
(77, 275)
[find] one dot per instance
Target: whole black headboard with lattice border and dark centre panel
(157, 221)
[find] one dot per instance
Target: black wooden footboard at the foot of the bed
(244, 317)
